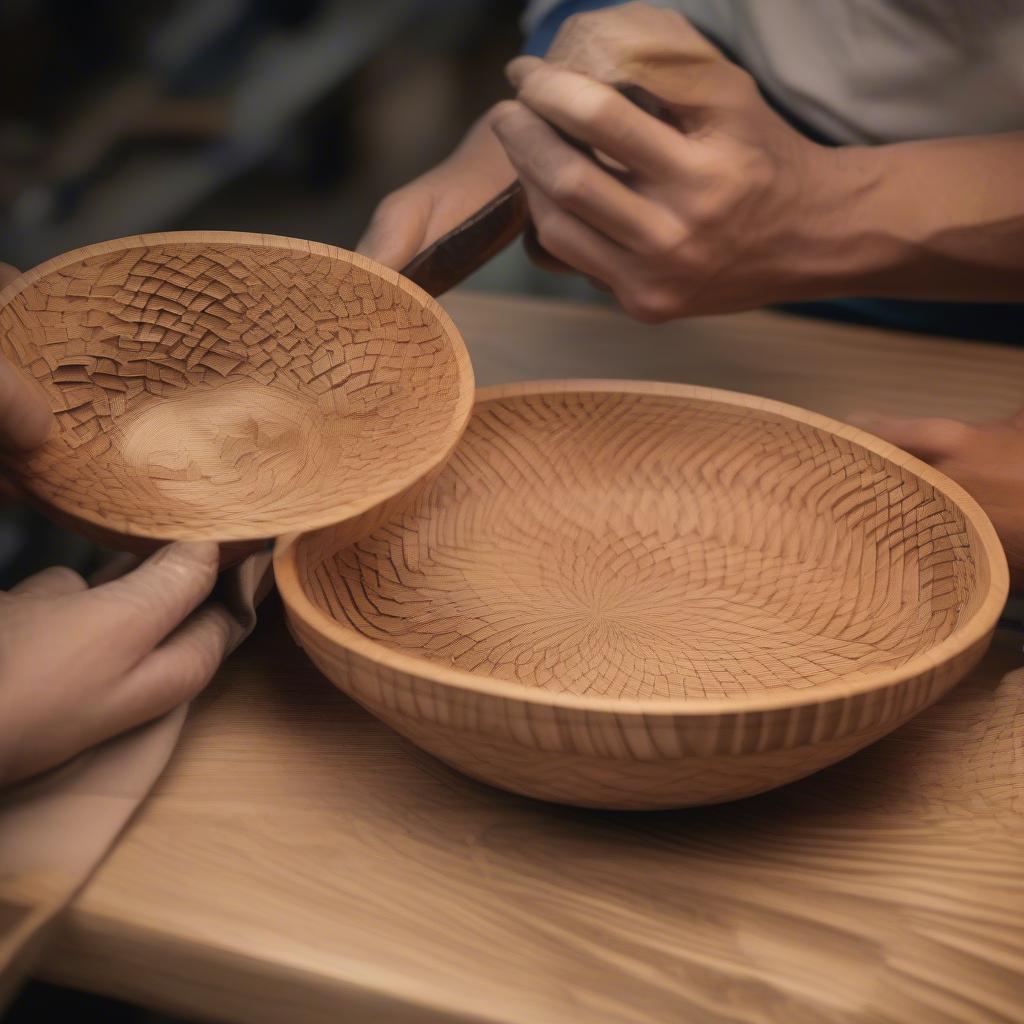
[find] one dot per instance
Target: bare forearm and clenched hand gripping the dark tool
(729, 207)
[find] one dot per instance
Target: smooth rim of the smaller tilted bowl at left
(464, 370)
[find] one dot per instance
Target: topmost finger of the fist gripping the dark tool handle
(600, 116)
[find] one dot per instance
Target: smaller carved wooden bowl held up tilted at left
(215, 386)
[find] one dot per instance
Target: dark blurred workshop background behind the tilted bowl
(289, 117)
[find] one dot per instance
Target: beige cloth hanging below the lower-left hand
(56, 830)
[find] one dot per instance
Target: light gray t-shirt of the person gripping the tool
(874, 71)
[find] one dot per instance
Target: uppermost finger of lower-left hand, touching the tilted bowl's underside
(132, 615)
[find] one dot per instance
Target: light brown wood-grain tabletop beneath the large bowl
(300, 862)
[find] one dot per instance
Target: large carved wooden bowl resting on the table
(633, 595)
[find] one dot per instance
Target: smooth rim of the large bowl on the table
(975, 629)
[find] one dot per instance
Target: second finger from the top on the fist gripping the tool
(581, 187)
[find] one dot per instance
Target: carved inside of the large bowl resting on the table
(653, 546)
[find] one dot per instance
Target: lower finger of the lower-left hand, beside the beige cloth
(175, 672)
